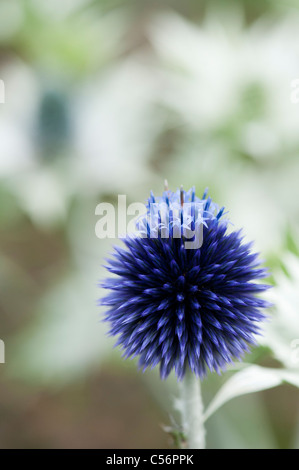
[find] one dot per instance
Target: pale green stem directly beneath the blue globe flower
(192, 411)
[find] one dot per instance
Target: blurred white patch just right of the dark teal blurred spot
(114, 127)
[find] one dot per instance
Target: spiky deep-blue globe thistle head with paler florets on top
(178, 305)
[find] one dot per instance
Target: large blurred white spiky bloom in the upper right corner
(208, 69)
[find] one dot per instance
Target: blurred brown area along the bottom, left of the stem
(110, 410)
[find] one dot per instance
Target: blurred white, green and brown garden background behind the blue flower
(110, 97)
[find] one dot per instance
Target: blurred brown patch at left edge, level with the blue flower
(30, 261)
